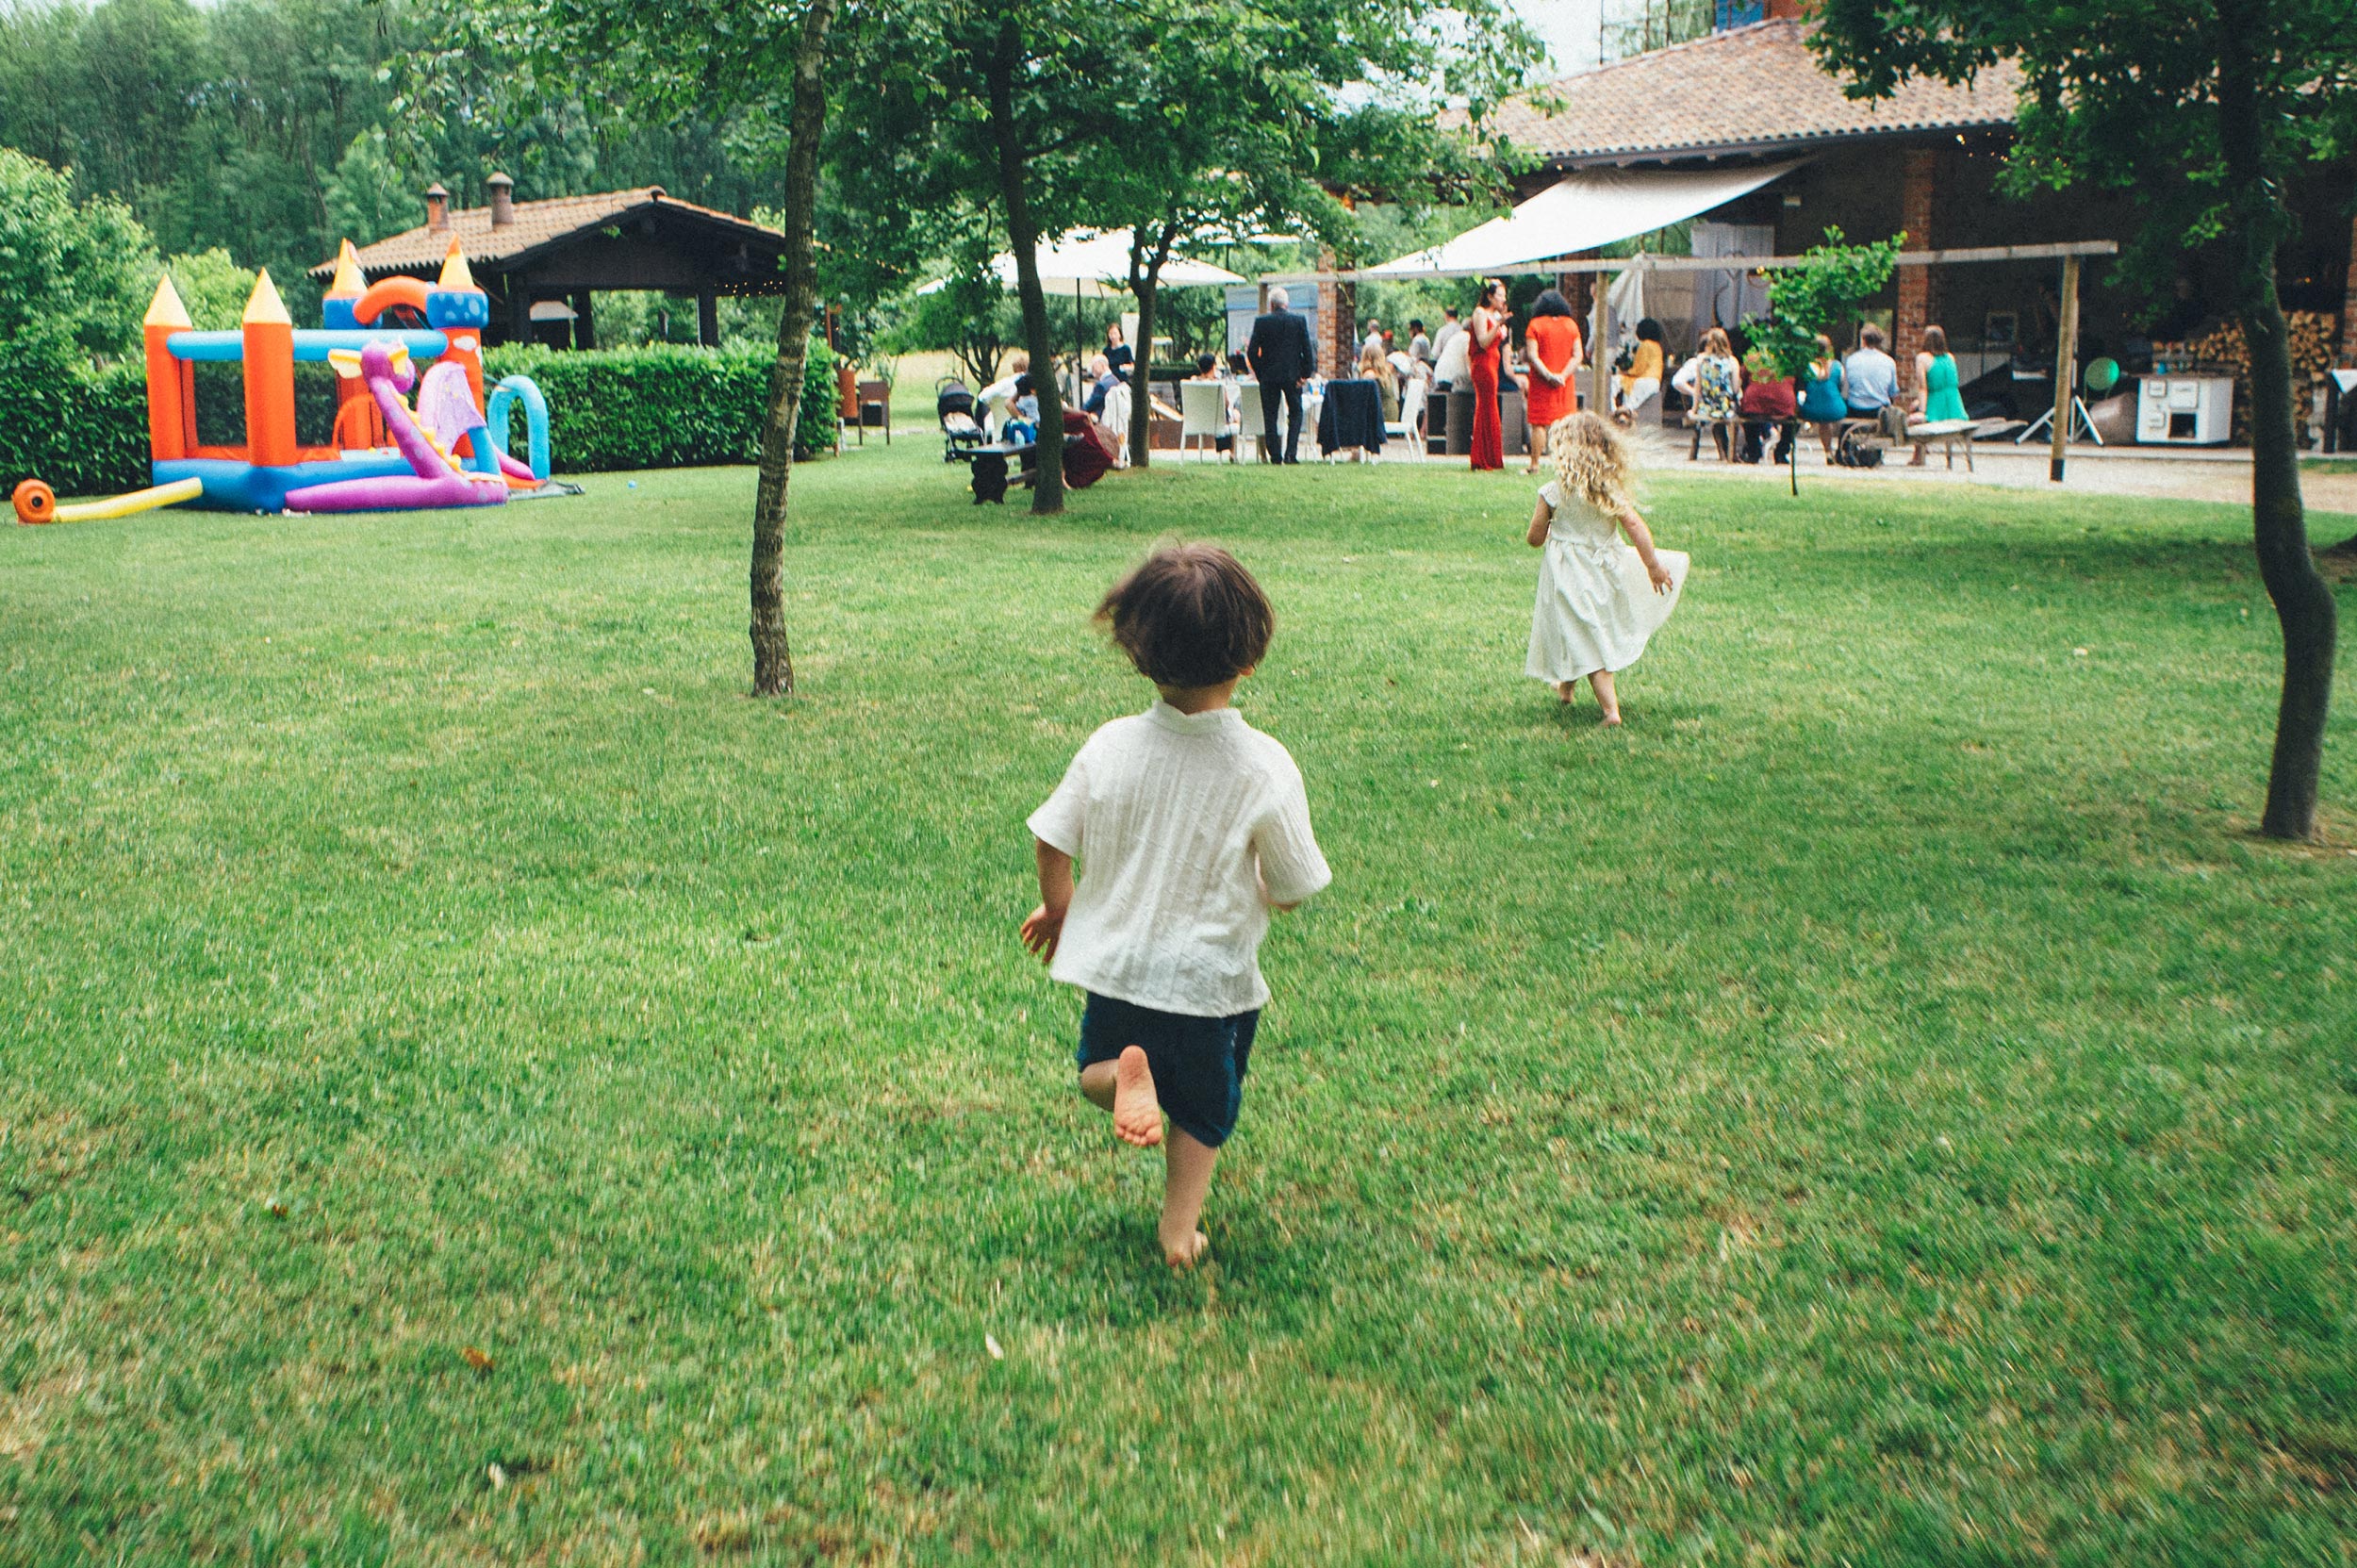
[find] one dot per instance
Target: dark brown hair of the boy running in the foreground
(1189, 617)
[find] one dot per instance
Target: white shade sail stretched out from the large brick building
(1578, 213)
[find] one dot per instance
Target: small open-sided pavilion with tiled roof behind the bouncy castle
(567, 246)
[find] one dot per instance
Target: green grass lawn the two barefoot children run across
(477, 1088)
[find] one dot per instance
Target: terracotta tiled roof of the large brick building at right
(1752, 91)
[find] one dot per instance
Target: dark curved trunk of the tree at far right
(2304, 602)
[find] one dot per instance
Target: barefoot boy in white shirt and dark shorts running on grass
(1191, 826)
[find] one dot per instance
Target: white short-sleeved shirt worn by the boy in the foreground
(1180, 822)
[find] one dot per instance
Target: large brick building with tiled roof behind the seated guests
(1922, 162)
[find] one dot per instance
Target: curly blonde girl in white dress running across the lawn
(1599, 600)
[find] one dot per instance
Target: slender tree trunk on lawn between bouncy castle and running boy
(772, 657)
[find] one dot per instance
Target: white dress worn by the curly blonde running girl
(1597, 605)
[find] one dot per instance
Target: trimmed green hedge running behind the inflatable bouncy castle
(609, 409)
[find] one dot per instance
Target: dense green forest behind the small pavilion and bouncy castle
(268, 131)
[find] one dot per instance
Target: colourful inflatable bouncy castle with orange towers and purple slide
(383, 454)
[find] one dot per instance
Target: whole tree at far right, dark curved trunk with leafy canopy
(2203, 110)
